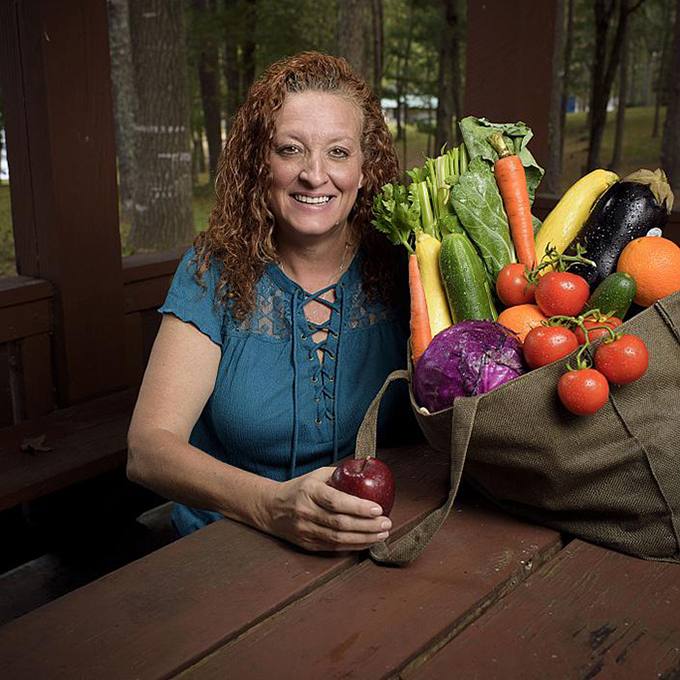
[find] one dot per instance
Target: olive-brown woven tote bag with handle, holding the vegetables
(612, 478)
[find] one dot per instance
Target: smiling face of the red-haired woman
(316, 164)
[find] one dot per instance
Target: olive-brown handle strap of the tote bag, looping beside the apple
(406, 548)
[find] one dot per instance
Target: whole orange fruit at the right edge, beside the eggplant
(654, 263)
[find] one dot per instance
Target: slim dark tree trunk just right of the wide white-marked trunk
(209, 81)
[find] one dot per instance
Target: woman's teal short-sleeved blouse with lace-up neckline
(276, 409)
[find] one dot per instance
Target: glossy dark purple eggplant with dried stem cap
(628, 210)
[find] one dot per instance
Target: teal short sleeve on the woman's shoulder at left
(193, 303)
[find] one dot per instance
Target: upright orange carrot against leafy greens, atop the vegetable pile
(512, 183)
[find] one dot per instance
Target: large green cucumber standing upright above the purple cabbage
(464, 279)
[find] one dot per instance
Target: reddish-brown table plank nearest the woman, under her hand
(169, 609)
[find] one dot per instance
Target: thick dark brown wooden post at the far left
(54, 65)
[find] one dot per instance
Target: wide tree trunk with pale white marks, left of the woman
(163, 215)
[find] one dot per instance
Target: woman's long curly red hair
(241, 226)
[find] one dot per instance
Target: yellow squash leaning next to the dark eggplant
(568, 217)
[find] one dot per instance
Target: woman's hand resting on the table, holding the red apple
(315, 516)
